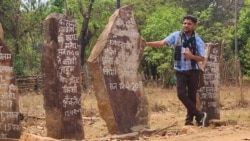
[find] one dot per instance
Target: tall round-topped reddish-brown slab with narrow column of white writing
(61, 78)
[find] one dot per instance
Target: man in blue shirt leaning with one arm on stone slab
(189, 49)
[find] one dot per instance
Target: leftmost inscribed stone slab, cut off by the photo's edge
(9, 102)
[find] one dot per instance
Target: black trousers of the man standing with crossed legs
(187, 85)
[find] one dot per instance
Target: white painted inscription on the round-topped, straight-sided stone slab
(68, 59)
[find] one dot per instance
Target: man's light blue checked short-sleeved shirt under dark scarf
(185, 64)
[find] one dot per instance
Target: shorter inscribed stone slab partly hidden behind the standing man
(209, 95)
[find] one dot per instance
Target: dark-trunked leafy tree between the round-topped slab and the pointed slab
(91, 17)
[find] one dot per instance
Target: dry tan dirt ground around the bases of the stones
(166, 111)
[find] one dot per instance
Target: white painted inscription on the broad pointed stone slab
(119, 56)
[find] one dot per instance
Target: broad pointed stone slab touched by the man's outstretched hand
(113, 64)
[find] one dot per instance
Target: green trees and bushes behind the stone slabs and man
(219, 21)
